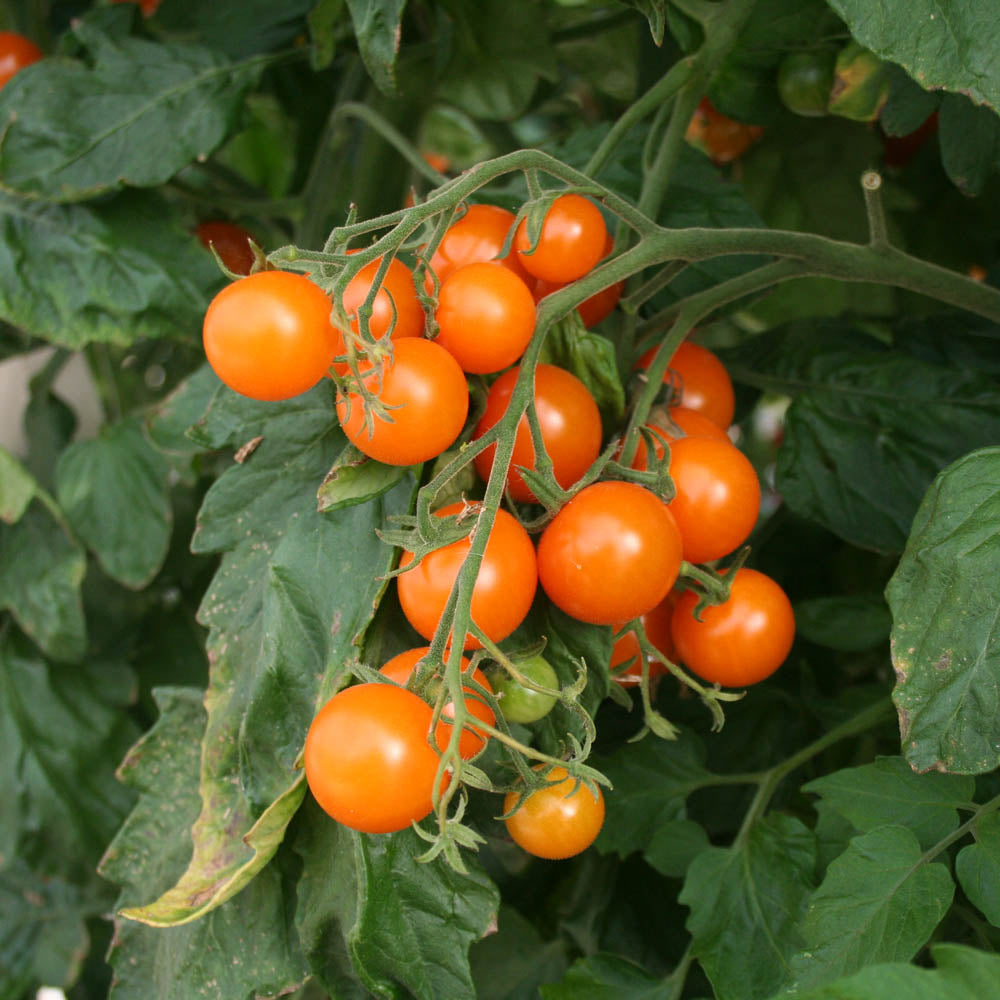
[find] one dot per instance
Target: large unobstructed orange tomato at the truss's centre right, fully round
(611, 554)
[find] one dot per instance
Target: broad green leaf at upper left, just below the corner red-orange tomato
(133, 114)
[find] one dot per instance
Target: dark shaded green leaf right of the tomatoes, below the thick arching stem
(868, 428)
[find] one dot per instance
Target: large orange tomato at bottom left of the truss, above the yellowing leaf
(367, 759)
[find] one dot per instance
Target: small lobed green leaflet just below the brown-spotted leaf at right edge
(889, 792)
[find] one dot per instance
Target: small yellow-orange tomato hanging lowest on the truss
(556, 822)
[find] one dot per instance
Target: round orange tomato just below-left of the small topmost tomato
(485, 317)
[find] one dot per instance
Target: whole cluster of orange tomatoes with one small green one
(611, 555)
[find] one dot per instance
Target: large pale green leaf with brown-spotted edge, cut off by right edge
(945, 633)
